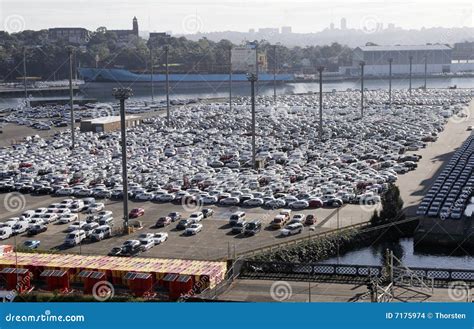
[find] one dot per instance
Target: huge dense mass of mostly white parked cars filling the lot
(205, 152)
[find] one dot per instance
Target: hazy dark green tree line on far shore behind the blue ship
(48, 59)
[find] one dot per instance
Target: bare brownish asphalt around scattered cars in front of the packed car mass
(213, 242)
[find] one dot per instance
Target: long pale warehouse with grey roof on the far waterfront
(376, 58)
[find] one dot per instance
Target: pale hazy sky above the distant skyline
(205, 16)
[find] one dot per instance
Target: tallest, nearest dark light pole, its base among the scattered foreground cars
(122, 94)
